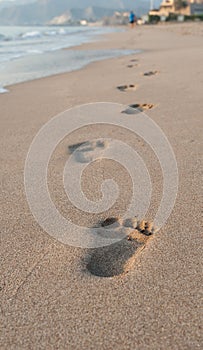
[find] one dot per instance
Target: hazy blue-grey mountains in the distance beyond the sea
(43, 11)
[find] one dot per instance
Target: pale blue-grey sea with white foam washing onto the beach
(28, 53)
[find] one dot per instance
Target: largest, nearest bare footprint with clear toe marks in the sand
(118, 258)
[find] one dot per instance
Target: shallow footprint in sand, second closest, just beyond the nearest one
(85, 152)
